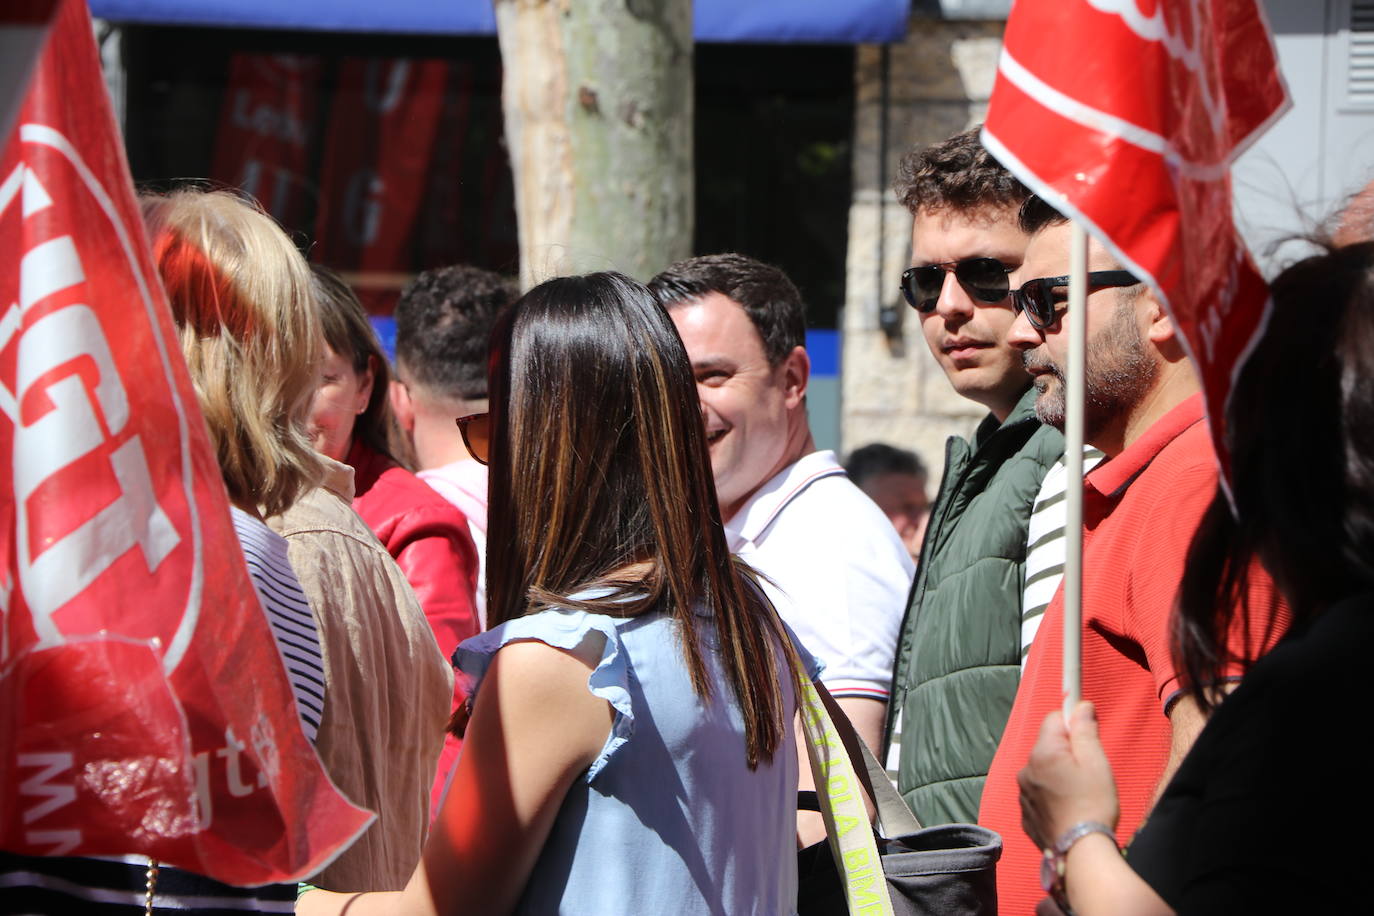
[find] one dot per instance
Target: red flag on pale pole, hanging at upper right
(1127, 115)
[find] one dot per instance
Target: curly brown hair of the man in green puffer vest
(957, 175)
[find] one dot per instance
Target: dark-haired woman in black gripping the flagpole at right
(1246, 826)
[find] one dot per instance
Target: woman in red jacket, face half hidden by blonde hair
(351, 422)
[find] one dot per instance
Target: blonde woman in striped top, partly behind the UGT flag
(252, 344)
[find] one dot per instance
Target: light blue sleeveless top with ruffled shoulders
(670, 819)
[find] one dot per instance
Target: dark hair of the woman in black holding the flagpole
(1300, 428)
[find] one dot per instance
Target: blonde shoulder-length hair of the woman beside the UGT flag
(241, 297)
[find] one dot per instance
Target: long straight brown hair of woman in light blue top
(600, 465)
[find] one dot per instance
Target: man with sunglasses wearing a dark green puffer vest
(958, 657)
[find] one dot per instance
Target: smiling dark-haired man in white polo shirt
(839, 572)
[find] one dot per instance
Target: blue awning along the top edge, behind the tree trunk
(726, 21)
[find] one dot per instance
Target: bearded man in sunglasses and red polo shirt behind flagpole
(1141, 509)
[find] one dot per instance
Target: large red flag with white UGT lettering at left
(144, 704)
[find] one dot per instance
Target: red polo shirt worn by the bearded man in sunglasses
(1140, 512)
